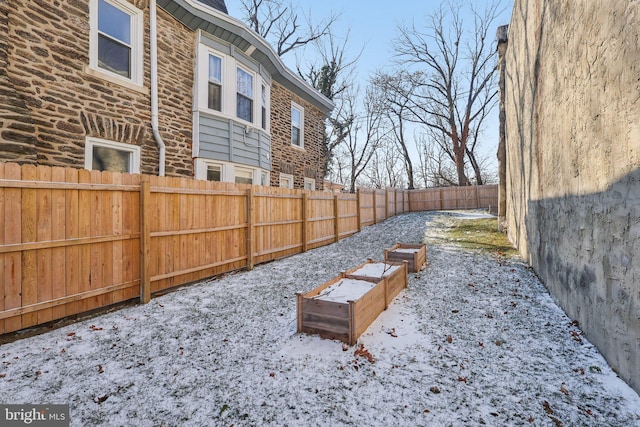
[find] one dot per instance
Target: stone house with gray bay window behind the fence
(167, 87)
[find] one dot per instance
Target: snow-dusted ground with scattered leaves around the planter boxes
(473, 340)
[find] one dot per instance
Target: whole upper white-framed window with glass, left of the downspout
(116, 39)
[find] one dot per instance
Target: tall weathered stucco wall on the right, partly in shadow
(572, 102)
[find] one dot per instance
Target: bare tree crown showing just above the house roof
(280, 24)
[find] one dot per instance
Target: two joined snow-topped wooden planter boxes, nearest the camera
(344, 307)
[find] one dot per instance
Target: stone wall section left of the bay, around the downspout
(53, 102)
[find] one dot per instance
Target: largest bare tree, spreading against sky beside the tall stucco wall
(451, 82)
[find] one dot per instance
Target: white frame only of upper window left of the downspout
(137, 37)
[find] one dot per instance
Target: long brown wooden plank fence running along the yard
(75, 240)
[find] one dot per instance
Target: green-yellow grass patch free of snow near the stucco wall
(480, 234)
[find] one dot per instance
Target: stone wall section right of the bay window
(287, 158)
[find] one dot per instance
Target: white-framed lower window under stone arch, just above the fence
(111, 156)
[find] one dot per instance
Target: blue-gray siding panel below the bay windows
(226, 140)
